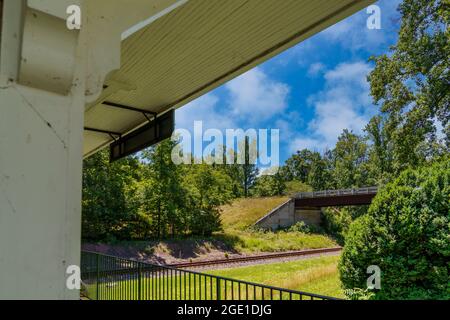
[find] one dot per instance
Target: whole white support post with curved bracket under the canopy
(48, 74)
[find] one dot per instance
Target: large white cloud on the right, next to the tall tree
(344, 103)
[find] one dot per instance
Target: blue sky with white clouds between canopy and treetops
(310, 92)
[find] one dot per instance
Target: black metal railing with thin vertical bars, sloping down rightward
(112, 278)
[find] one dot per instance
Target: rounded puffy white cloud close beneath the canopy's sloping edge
(256, 97)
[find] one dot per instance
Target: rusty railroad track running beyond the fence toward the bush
(267, 256)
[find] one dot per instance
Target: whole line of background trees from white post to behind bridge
(150, 197)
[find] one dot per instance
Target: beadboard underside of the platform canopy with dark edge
(197, 47)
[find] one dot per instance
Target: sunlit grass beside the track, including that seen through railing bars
(315, 275)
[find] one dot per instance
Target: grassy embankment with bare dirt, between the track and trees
(237, 237)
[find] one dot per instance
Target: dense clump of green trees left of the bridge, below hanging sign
(151, 197)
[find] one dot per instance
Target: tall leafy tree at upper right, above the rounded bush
(411, 84)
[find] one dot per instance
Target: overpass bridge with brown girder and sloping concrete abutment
(307, 206)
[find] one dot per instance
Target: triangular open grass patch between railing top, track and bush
(316, 275)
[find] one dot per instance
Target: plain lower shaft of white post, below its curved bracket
(40, 192)
